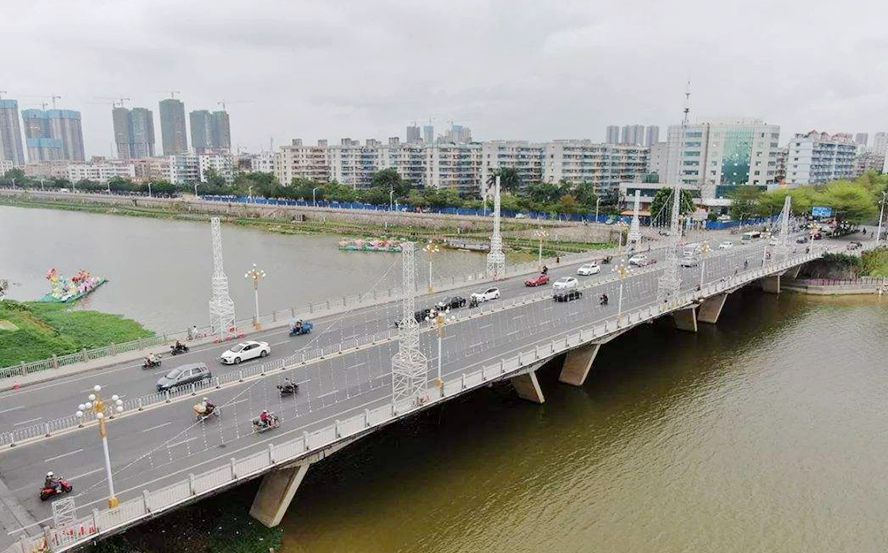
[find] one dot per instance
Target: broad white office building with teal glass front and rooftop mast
(716, 155)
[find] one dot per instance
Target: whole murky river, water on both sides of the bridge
(765, 432)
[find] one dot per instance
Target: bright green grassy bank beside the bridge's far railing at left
(31, 331)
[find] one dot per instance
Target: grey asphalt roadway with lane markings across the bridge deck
(161, 446)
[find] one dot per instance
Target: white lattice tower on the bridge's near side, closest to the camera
(409, 365)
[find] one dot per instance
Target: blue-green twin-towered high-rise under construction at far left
(53, 134)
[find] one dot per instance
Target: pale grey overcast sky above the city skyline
(517, 69)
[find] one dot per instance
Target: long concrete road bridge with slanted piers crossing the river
(352, 382)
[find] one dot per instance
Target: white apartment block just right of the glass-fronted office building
(818, 158)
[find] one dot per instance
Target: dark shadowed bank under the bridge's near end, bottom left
(218, 525)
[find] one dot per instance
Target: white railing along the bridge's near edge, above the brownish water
(235, 470)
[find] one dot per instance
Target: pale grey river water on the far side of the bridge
(159, 270)
